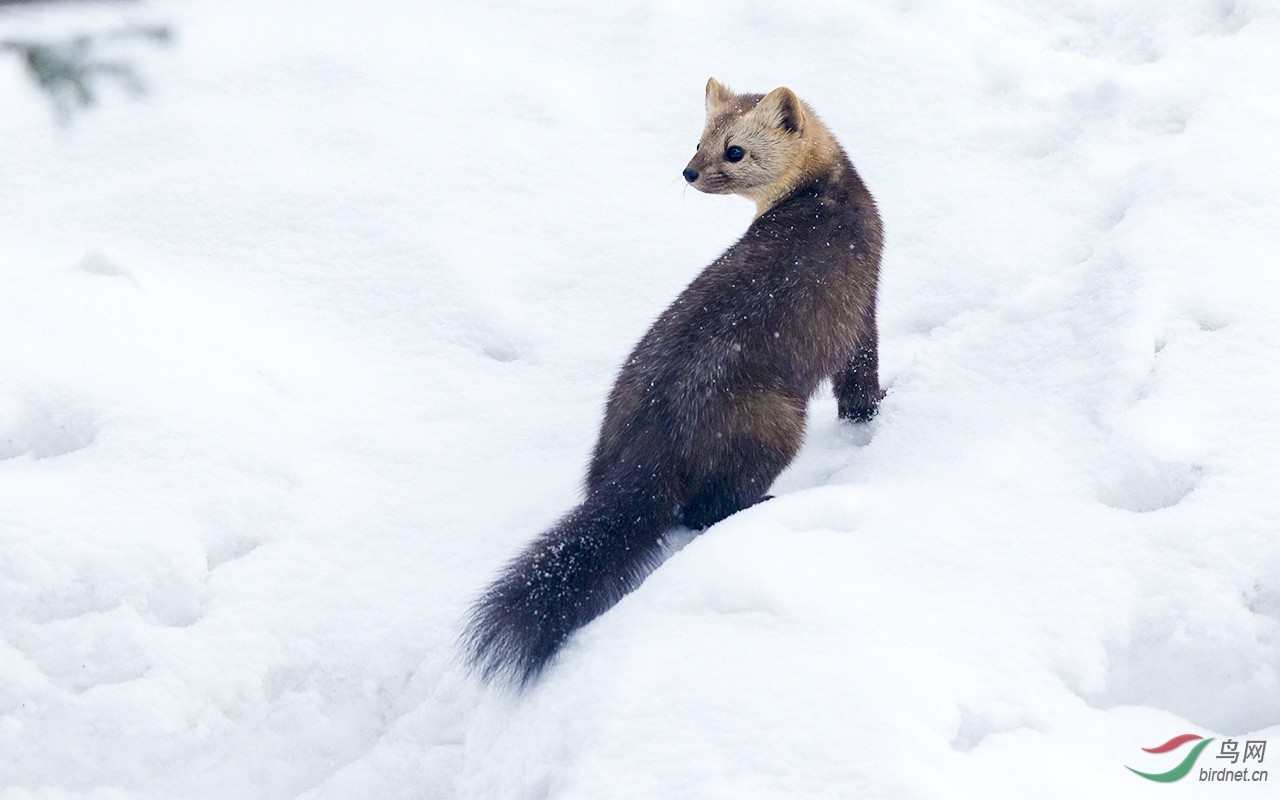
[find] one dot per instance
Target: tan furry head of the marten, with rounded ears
(781, 143)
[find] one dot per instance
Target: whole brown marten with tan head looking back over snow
(710, 408)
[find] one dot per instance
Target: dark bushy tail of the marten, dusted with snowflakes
(570, 575)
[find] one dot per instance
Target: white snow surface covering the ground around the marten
(300, 349)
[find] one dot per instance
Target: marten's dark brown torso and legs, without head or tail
(714, 397)
